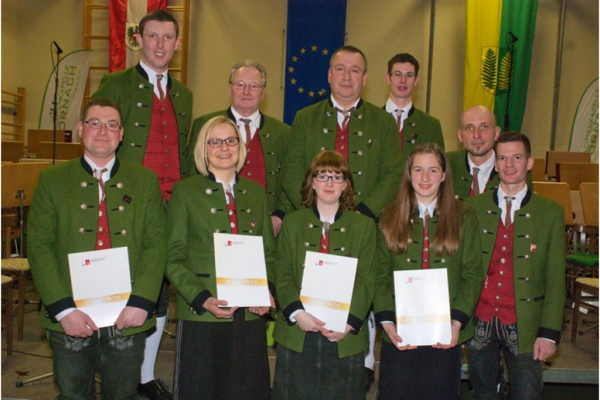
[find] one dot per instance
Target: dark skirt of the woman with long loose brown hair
(424, 373)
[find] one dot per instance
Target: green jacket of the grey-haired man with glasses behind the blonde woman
(274, 136)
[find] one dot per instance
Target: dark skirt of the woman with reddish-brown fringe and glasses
(318, 372)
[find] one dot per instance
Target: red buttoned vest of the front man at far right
(498, 294)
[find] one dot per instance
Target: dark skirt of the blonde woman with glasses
(222, 360)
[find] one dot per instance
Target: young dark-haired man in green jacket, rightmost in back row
(414, 126)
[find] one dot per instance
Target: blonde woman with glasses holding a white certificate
(221, 351)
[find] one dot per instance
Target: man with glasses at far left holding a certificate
(92, 203)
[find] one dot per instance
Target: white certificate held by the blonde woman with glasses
(241, 270)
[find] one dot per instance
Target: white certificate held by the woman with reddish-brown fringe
(327, 287)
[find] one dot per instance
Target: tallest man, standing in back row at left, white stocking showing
(157, 111)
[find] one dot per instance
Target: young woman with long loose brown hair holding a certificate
(426, 227)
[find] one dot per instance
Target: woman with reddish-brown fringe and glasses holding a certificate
(312, 361)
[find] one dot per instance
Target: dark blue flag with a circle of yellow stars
(315, 29)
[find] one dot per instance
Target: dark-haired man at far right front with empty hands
(521, 306)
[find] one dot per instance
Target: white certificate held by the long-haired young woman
(423, 306)
